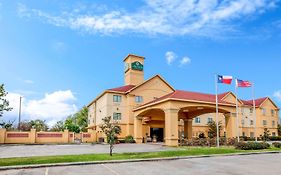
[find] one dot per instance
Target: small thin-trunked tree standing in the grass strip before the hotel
(111, 130)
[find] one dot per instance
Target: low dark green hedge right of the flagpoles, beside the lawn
(252, 145)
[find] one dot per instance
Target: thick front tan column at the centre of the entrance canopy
(171, 127)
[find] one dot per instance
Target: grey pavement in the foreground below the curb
(232, 165)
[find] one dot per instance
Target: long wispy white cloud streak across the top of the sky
(168, 17)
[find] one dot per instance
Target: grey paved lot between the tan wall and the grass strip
(48, 150)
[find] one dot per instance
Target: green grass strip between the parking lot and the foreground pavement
(181, 151)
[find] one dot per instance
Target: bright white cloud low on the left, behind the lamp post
(53, 107)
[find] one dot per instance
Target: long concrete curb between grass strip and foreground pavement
(130, 160)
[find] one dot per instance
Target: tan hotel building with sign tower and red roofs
(150, 107)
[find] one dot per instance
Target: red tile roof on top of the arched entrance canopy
(194, 96)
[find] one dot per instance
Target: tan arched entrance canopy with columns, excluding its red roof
(167, 116)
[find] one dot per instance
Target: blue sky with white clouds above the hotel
(60, 54)
